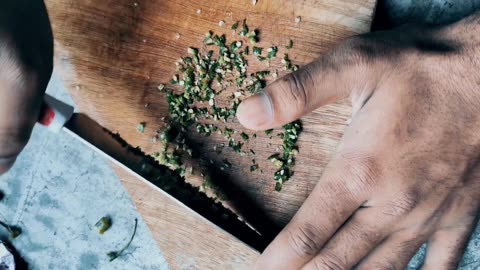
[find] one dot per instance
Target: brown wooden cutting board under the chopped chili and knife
(112, 55)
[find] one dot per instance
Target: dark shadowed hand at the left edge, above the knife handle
(26, 55)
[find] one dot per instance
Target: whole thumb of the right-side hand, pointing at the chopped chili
(328, 79)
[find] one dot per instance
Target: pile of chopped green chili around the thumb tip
(201, 77)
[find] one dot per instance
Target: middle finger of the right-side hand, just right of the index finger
(362, 233)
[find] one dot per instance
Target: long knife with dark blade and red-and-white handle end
(60, 117)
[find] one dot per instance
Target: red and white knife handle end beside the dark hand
(54, 113)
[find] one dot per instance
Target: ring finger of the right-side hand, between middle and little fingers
(394, 252)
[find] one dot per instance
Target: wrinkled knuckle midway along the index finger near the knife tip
(305, 240)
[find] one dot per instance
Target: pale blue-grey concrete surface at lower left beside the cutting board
(56, 192)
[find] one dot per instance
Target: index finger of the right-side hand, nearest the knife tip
(331, 203)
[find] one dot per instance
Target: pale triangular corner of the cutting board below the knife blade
(187, 241)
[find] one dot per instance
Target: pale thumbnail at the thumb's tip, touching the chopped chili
(255, 112)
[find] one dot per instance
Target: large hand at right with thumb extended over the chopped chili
(407, 169)
